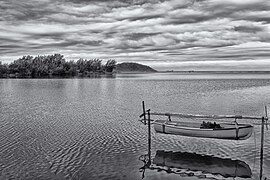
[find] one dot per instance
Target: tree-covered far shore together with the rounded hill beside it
(55, 65)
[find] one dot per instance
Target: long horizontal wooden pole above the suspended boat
(180, 115)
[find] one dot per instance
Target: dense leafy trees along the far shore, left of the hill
(55, 65)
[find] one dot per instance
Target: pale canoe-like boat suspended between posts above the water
(226, 130)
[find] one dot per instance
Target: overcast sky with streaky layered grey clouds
(164, 34)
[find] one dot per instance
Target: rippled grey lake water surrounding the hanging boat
(89, 128)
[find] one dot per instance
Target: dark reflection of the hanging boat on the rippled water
(184, 162)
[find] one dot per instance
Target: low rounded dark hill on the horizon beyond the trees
(133, 67)
